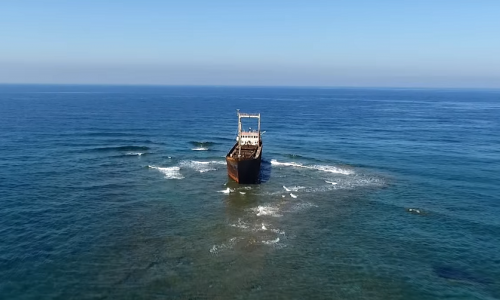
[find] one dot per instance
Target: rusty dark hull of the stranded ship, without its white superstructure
(246, 168)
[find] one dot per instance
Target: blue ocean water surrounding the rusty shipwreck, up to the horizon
(110, 192)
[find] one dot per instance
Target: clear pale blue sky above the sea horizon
(420, 43)
